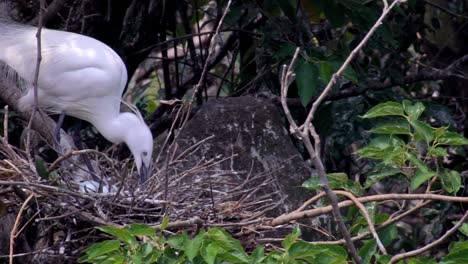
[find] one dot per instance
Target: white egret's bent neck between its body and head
(113, 129)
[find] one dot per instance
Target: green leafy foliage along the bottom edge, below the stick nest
(212, 246)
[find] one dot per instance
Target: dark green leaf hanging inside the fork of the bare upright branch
(306, 80)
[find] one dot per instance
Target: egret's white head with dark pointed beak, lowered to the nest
(140, 142)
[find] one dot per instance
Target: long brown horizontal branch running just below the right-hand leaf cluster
(283, 219)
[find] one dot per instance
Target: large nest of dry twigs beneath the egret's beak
(56, 213)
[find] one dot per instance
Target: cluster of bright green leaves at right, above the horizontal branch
(409, 146)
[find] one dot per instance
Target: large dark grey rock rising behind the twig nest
(252, 130)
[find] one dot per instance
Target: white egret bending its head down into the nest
(79, 76)
